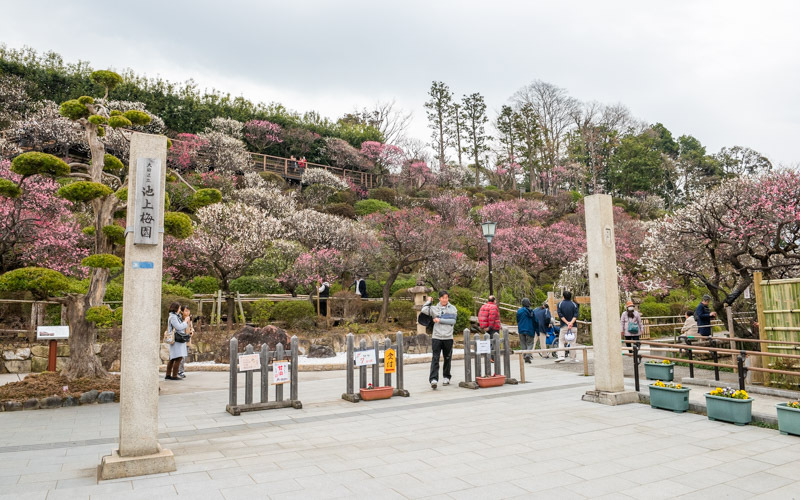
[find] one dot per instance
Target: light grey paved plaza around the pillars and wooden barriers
(537, 440)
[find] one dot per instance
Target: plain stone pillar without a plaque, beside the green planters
(603, 288)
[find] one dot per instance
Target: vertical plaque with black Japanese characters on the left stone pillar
(147, 206)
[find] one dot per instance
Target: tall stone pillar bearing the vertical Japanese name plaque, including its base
(139, 452)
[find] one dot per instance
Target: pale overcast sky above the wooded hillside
(727, 72)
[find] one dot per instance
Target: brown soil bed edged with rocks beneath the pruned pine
(45, 384)
